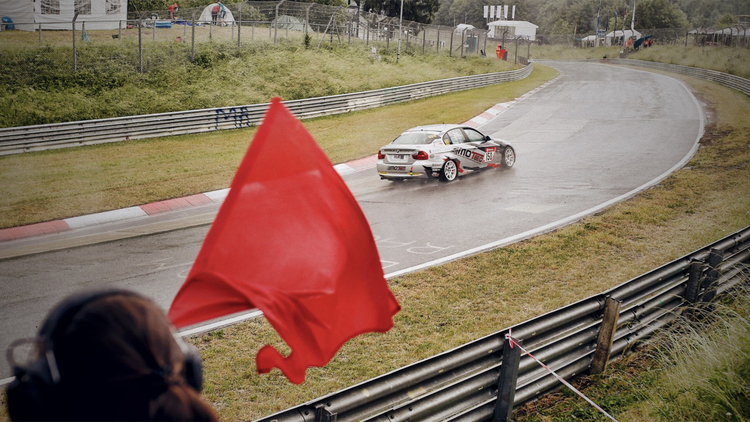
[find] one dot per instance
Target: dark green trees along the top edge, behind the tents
(552, 16)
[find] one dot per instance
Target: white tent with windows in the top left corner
(27, 15)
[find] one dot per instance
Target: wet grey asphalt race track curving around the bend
(594, 136)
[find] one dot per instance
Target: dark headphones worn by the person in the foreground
(34, 393)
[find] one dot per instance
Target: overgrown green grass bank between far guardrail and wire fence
(39, 86)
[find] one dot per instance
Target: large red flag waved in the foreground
(290, 240)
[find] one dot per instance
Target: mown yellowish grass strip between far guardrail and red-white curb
(62, 183)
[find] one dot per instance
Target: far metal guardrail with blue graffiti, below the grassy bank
(61, 135)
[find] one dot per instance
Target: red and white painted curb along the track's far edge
(201, 199)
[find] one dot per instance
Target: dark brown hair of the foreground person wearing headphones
(118, 359)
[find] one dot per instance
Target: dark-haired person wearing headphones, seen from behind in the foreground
(108, 355)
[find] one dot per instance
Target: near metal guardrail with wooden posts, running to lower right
(462, 384)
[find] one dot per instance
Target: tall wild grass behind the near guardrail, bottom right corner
(703, 364)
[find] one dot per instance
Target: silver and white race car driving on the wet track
(444, 152)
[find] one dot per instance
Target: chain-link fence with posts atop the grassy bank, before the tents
(270, 22)
